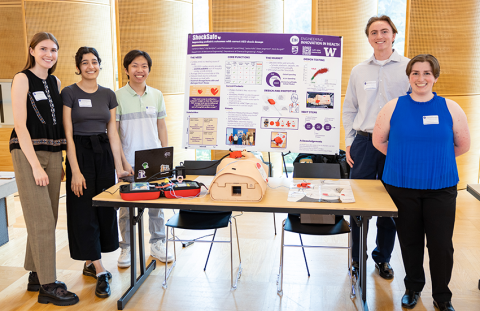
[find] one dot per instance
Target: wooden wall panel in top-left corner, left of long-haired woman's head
(12, 35)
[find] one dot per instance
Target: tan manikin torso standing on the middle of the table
(241, 179)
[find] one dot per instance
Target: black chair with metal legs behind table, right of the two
(292, 222)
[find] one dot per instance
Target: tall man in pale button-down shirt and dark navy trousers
(372, 84)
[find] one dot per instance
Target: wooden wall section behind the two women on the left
(74, 23)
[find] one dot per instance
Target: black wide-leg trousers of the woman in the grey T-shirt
(91, 230)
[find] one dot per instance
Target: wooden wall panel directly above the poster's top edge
(247, 16)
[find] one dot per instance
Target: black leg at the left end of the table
(144, 273)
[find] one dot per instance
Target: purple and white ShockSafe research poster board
(263, 92)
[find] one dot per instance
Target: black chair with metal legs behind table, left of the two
(202, 220)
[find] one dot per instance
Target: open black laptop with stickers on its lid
(152, 161)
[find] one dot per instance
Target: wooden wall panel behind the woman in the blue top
(451, 32)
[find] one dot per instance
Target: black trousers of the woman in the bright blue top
(429, 213)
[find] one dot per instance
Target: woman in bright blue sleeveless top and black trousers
(421, 134)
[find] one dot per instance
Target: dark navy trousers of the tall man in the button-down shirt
(369, 163)
